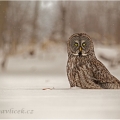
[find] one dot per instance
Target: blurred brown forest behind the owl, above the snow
(27, 25)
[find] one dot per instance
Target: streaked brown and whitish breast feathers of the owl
(79, 75)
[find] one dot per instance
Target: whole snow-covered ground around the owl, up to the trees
(22, 84)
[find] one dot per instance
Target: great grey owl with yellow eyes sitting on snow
(84, 70)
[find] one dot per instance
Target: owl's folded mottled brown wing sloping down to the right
(103, 77)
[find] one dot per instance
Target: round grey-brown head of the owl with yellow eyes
(80, 44)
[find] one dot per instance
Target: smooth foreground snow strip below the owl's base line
(62, 104)
